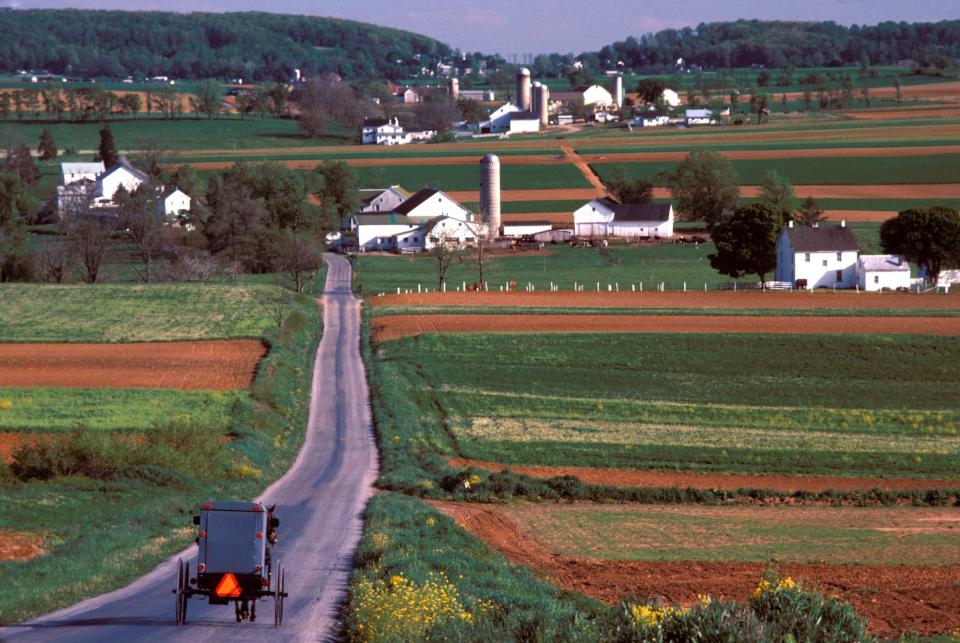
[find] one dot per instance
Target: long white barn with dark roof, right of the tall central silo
(608, 218)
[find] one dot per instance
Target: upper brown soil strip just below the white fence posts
(692, 299)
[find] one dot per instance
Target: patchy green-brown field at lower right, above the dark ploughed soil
(862, 535)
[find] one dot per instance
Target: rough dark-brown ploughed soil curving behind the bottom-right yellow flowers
(894, 598)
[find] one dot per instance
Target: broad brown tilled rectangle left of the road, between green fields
(217, 365)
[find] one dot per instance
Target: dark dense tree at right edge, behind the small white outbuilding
(930, 238)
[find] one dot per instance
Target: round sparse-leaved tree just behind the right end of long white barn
(704, 186)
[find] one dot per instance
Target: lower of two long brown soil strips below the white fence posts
(396, 326)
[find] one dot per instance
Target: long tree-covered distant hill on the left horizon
(253, 46)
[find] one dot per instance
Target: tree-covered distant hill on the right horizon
(780, 44)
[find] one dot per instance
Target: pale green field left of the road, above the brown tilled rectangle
(132, 313)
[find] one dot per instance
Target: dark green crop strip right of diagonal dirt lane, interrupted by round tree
(933, 168)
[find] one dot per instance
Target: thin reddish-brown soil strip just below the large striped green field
(728, 481)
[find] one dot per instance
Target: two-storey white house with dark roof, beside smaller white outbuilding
(814, 257)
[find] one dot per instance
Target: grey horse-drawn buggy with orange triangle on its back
(234, 562)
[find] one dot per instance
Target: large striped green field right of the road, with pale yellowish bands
(838, 405)
